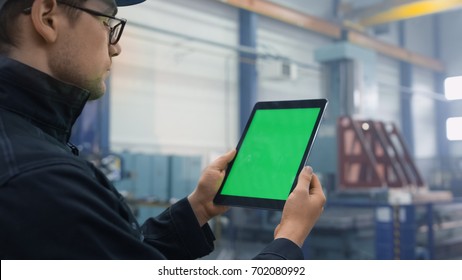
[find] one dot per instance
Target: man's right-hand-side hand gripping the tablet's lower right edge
(302, 209)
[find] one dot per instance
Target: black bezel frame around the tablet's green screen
(275, 204)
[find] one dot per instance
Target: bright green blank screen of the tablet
(271, 153)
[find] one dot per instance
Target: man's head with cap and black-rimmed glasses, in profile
(71, 40)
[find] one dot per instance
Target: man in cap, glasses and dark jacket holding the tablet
(54, 56)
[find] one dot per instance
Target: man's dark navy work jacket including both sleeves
(55, 205)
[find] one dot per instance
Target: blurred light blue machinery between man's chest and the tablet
(151, 182)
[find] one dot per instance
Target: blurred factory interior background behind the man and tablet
(388, 151)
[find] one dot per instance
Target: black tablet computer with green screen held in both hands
(271, 153)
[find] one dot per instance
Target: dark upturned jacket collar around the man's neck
(52, 105)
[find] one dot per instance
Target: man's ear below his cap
(44, 16)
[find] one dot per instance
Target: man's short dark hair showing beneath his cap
(9, 30)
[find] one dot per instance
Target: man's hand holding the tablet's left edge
(201, 199)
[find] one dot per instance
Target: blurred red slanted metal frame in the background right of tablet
(373, 154)
